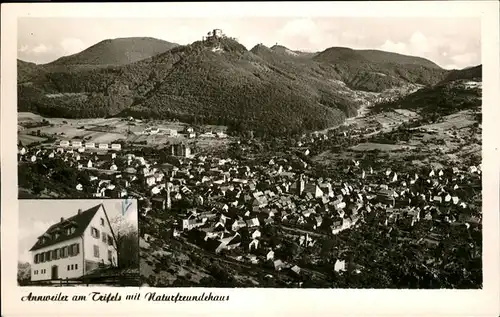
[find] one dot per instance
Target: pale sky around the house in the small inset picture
(36, 216)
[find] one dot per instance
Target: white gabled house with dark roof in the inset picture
(74, 247)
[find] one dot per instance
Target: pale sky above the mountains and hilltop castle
(449, 42)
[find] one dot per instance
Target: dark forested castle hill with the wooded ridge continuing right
(271, 90)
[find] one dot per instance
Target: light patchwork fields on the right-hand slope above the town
(449, 141)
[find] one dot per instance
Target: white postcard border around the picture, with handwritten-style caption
(275, 302)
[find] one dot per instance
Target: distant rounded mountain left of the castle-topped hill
(118, 51)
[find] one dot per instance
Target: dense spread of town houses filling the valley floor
(226, 207)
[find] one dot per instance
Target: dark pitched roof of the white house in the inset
(79, 221)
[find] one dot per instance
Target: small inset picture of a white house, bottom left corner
(78, 243)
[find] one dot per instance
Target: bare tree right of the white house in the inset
(127, 243)
